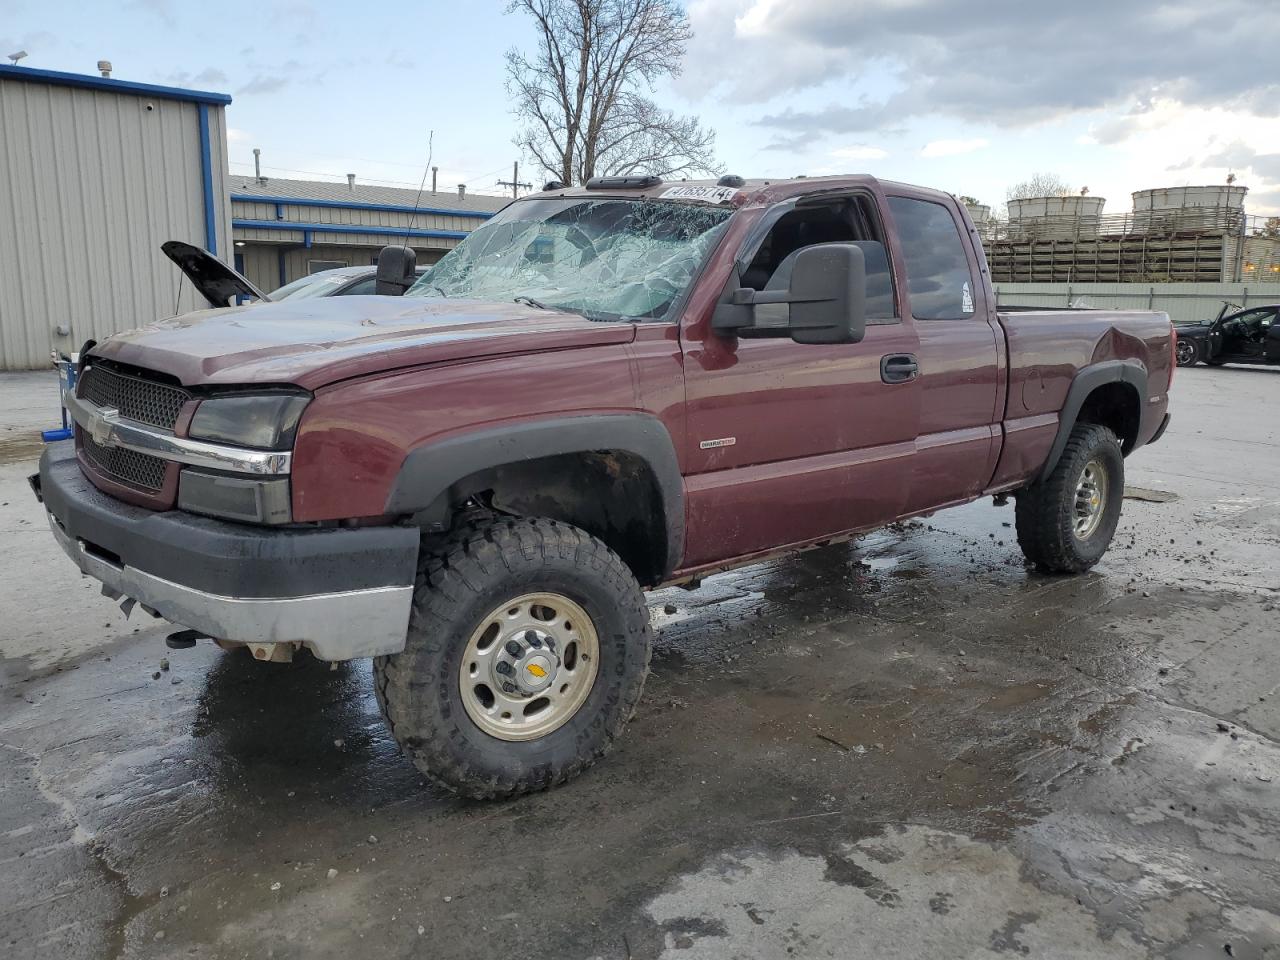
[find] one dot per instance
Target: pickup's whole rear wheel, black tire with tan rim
(1067, 522)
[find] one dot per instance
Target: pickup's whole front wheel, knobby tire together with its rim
(527, 655)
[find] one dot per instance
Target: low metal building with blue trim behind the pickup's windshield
(285, 230)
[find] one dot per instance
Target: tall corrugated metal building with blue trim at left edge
(95, 175)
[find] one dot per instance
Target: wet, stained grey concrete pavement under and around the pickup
(907, 747)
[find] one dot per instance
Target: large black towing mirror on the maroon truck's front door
(825, 298)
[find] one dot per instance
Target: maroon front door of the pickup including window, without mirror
(788, 442)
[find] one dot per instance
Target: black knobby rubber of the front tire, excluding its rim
(461, 582)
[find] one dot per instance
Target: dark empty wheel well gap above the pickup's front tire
(611, 495)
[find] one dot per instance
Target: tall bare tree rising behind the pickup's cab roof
(583, 97)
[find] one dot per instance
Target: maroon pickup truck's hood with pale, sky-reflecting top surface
(316, 342)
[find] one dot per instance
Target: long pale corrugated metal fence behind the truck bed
(1185, 303)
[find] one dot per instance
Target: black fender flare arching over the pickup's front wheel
(429, 472)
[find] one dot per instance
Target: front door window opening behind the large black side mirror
(842, 222)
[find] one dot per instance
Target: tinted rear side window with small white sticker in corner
(939, 281)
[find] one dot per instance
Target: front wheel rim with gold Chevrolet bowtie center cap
(529, 666)
